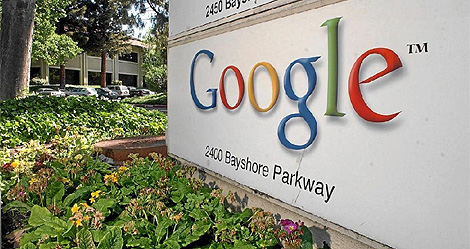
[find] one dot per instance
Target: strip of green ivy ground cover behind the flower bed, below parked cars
(45, 118)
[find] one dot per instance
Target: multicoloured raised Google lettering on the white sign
(355, 95)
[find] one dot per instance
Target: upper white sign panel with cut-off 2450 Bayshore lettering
(186, 15)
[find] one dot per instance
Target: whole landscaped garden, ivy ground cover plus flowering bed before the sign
(57, 193)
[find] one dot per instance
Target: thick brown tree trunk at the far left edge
(15, 47)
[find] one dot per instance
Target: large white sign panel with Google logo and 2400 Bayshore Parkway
(258, 105)
